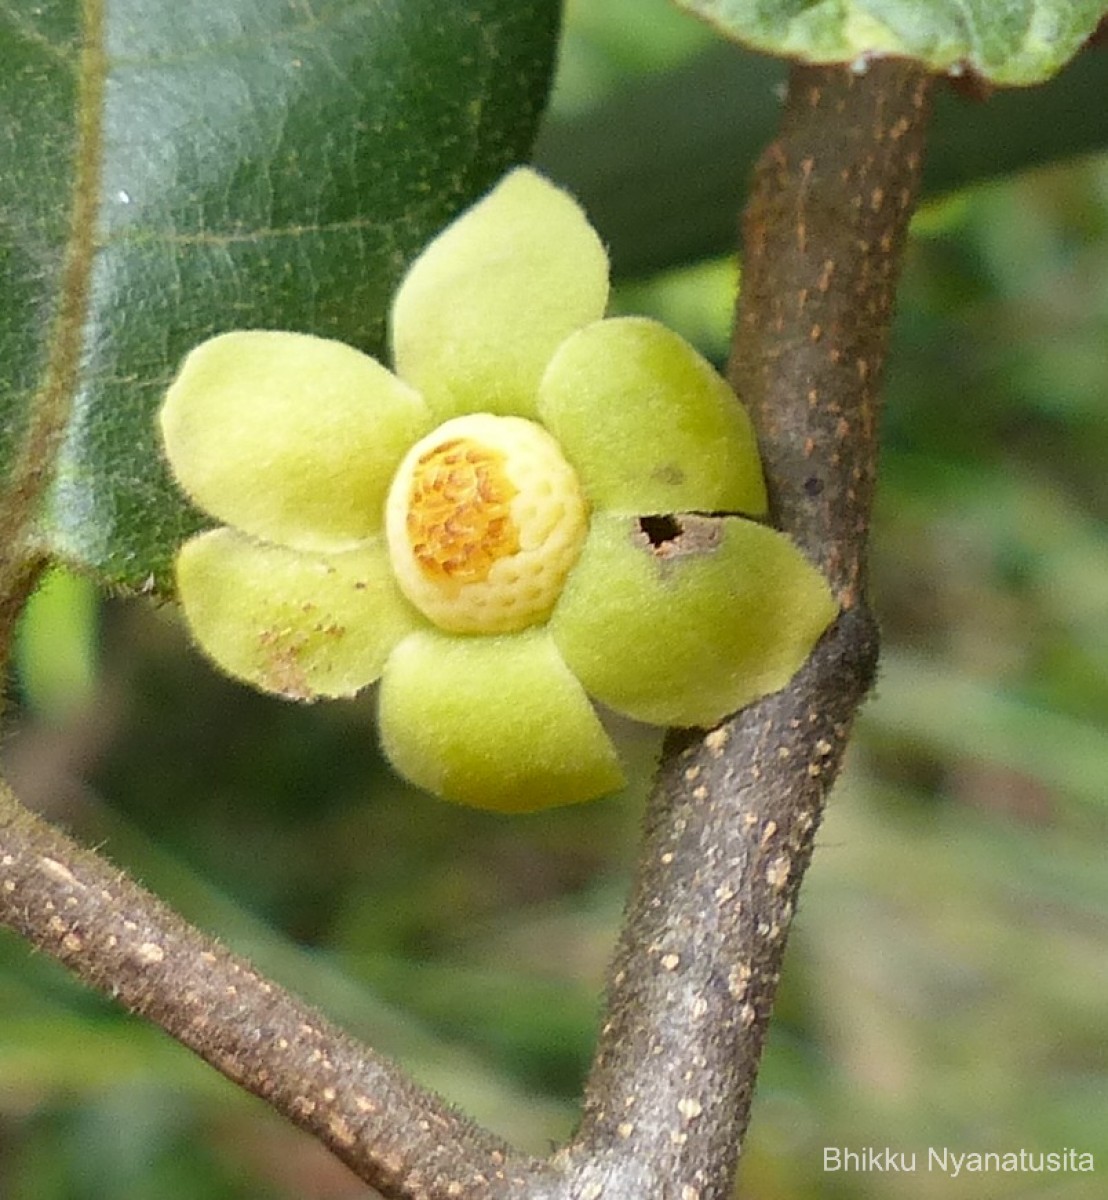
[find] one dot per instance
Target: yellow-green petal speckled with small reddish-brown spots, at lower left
(302, 626)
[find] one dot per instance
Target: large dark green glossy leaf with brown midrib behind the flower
(169, 172)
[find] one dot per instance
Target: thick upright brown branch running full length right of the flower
(732, 823)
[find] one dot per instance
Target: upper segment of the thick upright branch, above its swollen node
(824, 237)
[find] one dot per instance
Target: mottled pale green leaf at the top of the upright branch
(1013, 43)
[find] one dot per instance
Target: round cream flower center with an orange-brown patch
(484, 521)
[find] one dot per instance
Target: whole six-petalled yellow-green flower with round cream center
(524, 518)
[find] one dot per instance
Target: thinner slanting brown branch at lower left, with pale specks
(119, 939)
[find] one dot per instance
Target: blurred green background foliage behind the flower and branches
(948, 977)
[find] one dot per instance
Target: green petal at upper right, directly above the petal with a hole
(649, 424)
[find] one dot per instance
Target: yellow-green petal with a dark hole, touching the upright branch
(686, 621)
